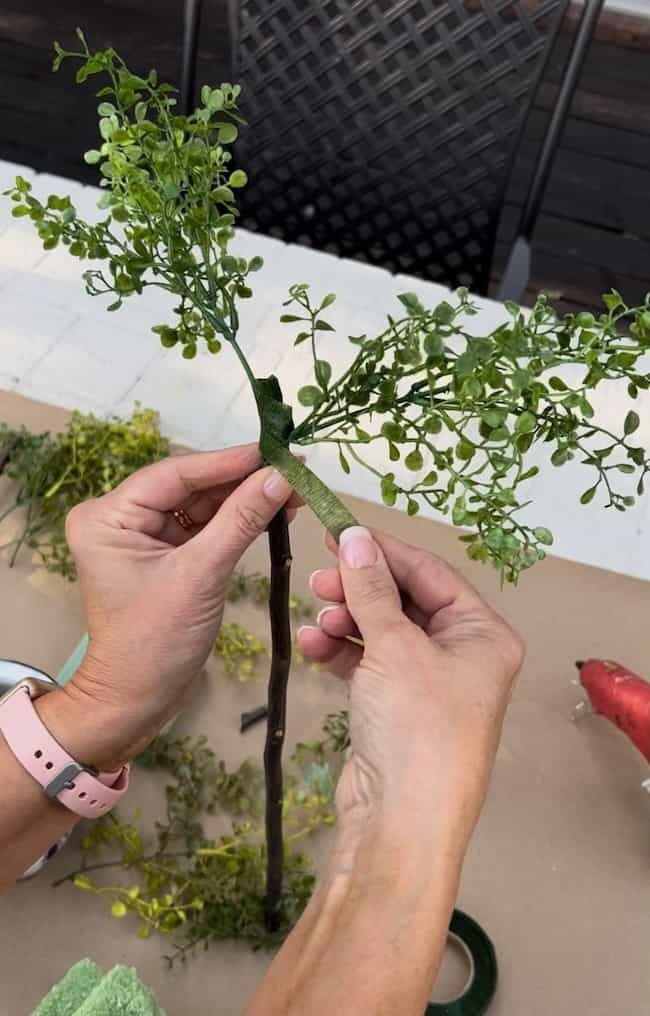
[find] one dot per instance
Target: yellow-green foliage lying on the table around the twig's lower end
(198, 891)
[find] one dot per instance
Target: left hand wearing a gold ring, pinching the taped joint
(154, 593)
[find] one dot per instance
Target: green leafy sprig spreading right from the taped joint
(464, 411)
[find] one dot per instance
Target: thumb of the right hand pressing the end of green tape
(371, 594)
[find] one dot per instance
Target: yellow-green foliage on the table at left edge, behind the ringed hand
(54, 473)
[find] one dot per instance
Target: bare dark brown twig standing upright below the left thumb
(281, 554)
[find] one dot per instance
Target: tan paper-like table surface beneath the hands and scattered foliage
(559, 871)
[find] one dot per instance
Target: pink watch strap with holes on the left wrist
(52, 768)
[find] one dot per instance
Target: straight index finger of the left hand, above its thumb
(167, 485)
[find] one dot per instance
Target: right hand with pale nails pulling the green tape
(429, 686)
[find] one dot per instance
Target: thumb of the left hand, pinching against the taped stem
(242, 519)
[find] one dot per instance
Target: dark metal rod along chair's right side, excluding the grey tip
(549, 152)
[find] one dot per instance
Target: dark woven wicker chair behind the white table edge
(386, 131)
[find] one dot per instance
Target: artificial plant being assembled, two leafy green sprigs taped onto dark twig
(461, 412)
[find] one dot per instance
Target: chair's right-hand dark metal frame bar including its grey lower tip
(517, 274)
